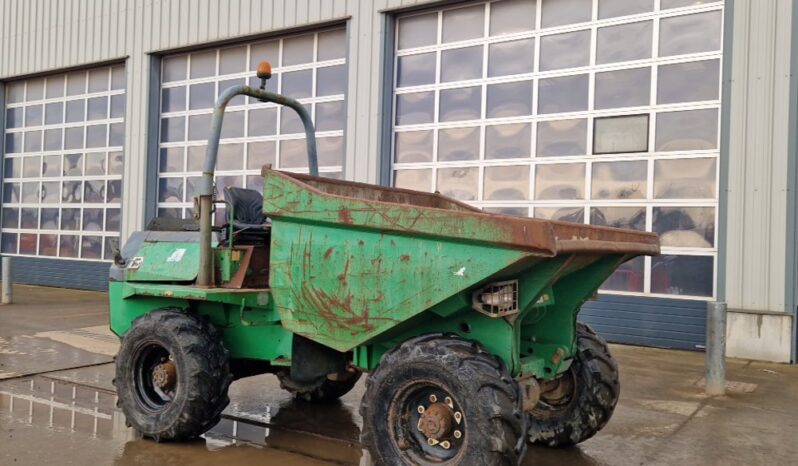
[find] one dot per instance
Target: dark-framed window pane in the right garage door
(614, 135)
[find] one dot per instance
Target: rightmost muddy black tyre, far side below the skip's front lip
(578, 413)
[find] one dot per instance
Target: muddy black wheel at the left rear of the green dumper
(172, 375)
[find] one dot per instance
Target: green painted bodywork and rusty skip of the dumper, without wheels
(360, 269)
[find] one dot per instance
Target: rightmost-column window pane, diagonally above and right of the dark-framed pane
(688, 82)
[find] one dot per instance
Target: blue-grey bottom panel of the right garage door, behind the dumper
(667, 323)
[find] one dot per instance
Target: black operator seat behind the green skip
(249, 223)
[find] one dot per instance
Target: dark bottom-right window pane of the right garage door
(682, 275)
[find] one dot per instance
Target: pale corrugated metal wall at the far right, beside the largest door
(756, 227)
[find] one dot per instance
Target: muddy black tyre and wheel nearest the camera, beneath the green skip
(441, 400)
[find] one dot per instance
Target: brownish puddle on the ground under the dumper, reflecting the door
(59, 422)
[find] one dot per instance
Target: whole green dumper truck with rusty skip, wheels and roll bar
(466, 321)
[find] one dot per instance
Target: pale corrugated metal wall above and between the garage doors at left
(38, 36)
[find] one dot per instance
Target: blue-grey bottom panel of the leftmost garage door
(61, 273)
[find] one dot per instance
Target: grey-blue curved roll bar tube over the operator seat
(205, 188)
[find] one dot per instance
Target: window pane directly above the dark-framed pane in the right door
(623, 88)
